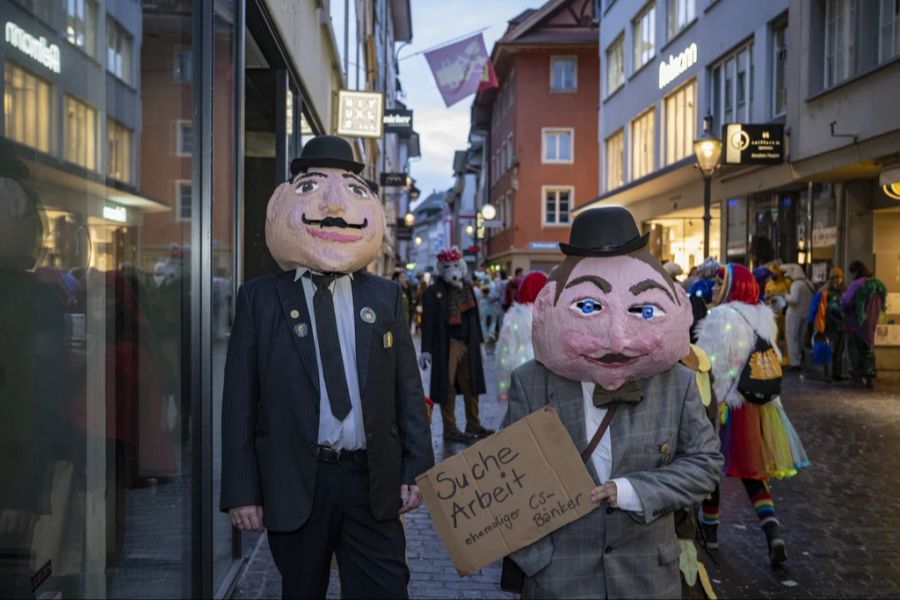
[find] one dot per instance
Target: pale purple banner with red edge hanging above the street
(461, 68)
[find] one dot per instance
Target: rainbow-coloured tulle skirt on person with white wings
(759, 442)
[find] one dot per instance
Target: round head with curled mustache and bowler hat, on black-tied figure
(326, 218)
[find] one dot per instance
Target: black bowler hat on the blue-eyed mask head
(605, 231)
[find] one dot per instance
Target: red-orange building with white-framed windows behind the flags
(540, 125)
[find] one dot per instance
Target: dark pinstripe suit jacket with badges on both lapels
(270, 405)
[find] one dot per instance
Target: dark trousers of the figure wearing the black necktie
(370, 554)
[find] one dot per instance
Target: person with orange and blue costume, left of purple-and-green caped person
(827, 324)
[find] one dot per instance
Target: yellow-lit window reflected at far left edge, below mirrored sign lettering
(26, 107)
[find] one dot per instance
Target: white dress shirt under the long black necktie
(350, 433)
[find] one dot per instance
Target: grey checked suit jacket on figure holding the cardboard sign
(665, 446)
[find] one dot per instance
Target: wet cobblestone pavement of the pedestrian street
(841, 517)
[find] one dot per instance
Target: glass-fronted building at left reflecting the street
(139, 144)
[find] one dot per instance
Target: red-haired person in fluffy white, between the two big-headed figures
(514, 347)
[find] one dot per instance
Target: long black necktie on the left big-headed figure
(330, 347)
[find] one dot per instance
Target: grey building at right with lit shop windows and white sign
(823, 70)
